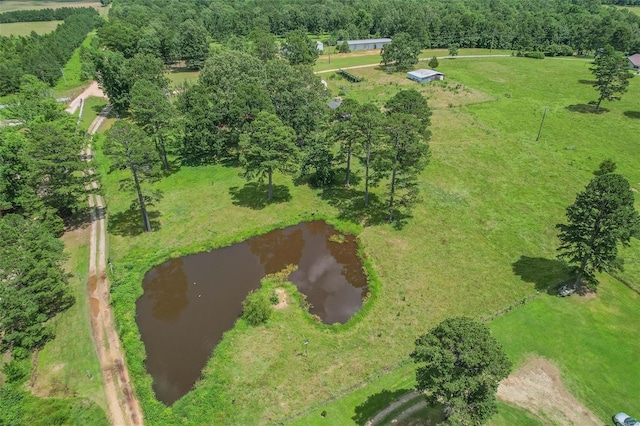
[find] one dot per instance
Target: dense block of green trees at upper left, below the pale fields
(45, 55)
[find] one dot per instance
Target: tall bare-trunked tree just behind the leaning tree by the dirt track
(153, 112)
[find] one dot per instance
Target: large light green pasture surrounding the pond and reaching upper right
(482, 238)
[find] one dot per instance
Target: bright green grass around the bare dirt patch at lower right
(594, 341)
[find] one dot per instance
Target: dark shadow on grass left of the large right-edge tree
(546, 274)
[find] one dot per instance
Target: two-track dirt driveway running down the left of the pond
(124, 408)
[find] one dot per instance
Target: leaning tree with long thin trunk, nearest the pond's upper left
(127, 146)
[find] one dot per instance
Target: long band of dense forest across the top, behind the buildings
(584, 25)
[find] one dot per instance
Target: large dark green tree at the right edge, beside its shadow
(602, 216)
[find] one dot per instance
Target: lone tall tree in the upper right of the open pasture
(612, 74)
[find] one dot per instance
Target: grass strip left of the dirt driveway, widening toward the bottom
(68, 365)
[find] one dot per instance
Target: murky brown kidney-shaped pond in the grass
(189, 302)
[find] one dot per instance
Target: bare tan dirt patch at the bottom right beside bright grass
(538, 388)
